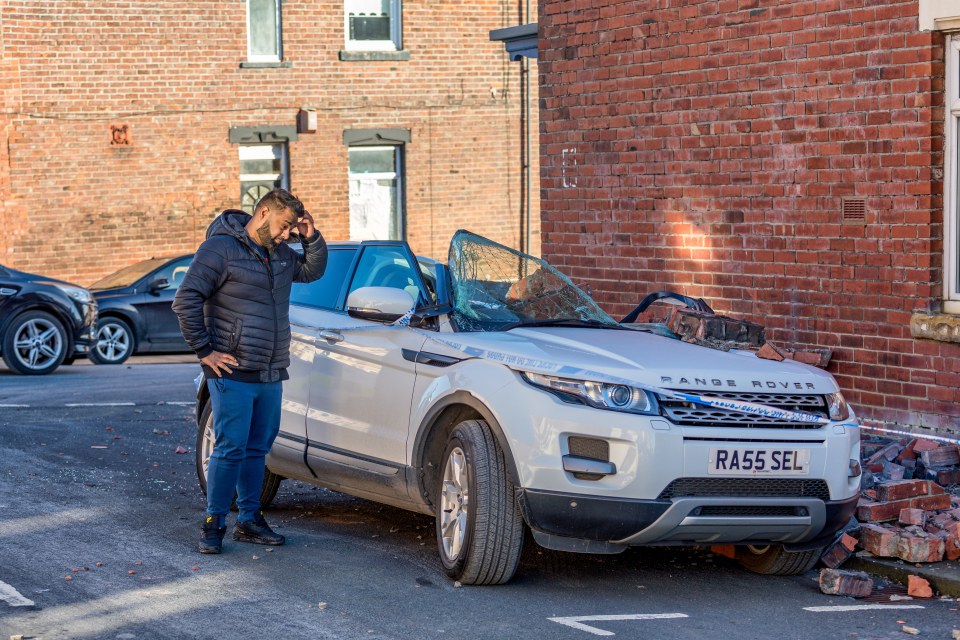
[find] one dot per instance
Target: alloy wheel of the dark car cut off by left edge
(35, 343)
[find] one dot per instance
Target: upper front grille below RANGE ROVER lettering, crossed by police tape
(697, 415)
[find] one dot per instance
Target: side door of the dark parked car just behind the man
(161, 329)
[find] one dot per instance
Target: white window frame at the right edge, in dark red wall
(951, 185)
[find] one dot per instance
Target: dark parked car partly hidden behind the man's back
(135, 313)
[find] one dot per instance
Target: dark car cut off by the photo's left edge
(43, 322)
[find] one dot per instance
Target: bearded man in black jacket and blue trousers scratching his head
(233, 307)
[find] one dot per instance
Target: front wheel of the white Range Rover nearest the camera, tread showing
(478, 522)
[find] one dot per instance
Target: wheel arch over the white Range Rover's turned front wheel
(435, 430)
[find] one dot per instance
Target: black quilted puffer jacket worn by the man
(234, 301)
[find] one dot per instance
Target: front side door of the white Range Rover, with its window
(361, 385)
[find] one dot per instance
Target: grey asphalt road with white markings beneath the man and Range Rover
(99, 518)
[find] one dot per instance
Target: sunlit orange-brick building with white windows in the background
(126, 127)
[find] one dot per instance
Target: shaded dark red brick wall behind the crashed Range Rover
(709, 146)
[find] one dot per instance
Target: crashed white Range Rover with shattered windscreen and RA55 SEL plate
(509, 399)
